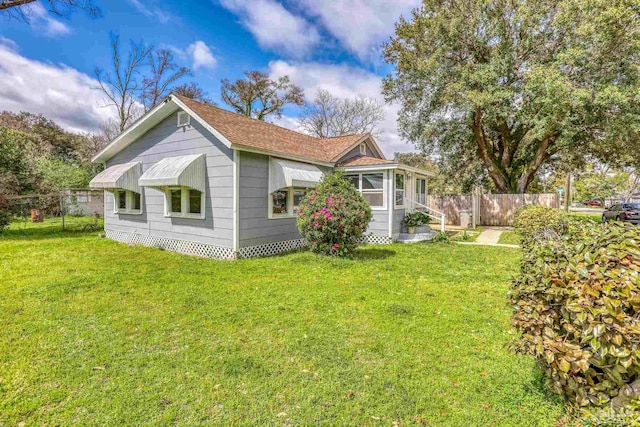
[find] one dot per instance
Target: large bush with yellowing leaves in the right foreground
(577, 310)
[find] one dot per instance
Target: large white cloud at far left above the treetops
(60, 93)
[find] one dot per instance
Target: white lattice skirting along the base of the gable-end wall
(181, 246)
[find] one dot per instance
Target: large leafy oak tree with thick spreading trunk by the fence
(517, 83)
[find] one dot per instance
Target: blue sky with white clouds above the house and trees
(46, 65)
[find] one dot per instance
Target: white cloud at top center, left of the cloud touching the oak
(274, 27)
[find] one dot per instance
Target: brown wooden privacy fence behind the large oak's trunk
(494, 209)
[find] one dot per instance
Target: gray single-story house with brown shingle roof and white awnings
(193, 178)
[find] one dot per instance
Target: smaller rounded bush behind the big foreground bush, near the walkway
(536, 222)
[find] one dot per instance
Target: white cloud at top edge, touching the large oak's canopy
(360, 25)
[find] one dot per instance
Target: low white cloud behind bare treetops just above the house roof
(345, 82)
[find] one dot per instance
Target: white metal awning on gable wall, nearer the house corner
(184, 171)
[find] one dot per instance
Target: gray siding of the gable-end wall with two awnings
(167, 140)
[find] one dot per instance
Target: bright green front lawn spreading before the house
(98, 333)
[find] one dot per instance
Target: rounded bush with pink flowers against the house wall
(333, 217)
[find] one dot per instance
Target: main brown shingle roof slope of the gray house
(266, 136)
